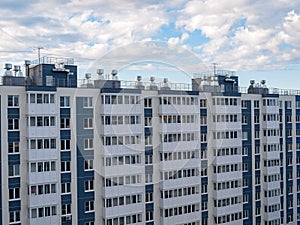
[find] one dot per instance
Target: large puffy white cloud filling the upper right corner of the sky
(244, 34)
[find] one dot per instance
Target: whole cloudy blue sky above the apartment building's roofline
(175, 39)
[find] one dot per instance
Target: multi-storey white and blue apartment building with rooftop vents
(113, 153)
